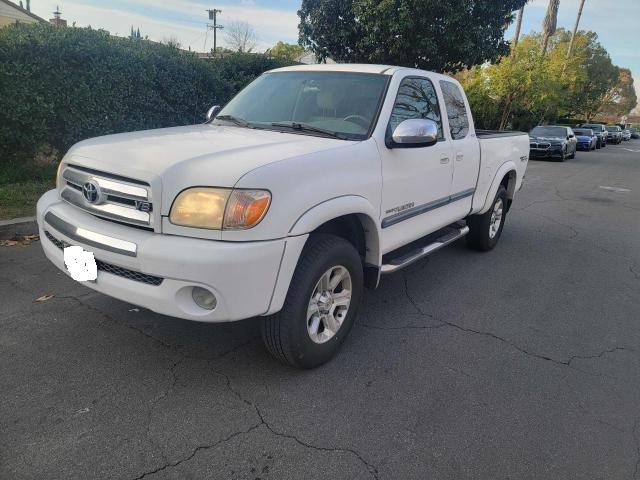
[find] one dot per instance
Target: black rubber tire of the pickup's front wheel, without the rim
(285, 334)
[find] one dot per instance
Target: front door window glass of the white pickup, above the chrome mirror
(416, 99)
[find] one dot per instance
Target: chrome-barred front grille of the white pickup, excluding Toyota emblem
(120, 200)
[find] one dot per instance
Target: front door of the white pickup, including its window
(416, 181)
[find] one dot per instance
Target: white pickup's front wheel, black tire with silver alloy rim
(321, 305)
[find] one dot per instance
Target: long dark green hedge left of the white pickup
(61, 85)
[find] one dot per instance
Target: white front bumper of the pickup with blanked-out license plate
(158, 272)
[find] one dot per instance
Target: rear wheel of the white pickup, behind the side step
(485, 229)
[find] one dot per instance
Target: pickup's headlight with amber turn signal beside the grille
(219, 208)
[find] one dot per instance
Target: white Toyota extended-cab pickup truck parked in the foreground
(306, 187)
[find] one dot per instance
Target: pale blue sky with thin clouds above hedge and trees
(616, 22)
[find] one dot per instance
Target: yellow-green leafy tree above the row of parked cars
(541, 88)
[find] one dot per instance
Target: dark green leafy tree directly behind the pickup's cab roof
(429, 34)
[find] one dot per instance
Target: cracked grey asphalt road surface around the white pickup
(523, 362)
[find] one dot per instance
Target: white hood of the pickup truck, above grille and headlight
(218, 155)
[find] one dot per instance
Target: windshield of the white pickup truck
(339, 102)
